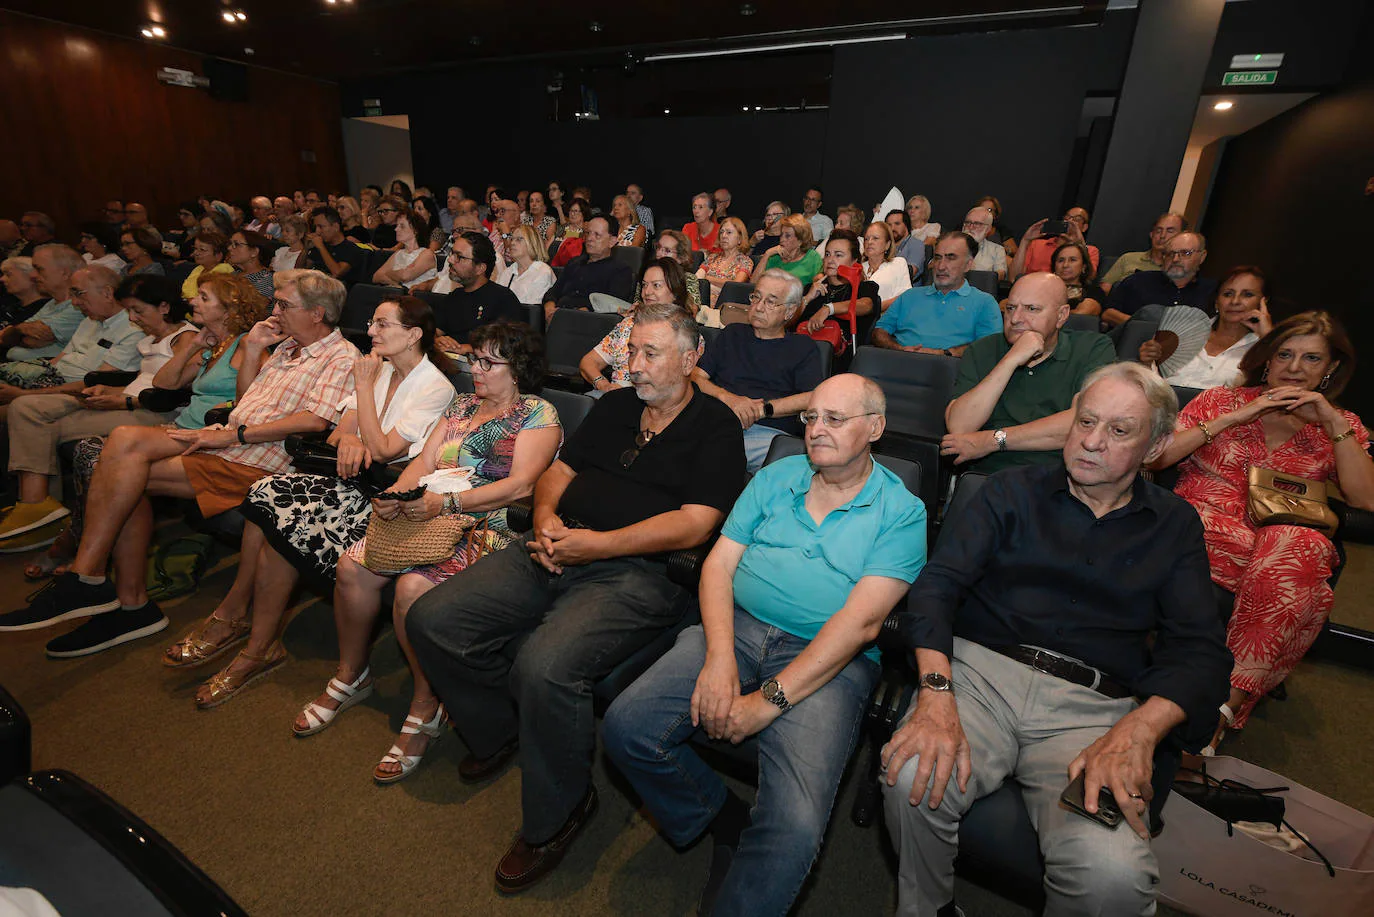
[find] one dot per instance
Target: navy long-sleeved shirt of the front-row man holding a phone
(1028, 564)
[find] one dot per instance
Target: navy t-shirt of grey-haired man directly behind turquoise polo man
(741, 364)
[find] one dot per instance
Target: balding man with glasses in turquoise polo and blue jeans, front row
(814, 556)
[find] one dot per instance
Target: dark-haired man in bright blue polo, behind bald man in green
(942, 318)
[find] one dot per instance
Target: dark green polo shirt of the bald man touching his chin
(1035, 393)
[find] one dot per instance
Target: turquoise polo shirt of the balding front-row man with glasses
(795, 574)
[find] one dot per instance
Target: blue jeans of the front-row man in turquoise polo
(802, 757)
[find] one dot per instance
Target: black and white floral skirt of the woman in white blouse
(310, 520)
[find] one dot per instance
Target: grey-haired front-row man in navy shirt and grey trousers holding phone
(1033, 633)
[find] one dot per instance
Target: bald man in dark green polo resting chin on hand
(1015, 391)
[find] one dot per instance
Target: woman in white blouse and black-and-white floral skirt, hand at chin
(302, 524)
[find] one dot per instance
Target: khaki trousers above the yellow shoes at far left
(41, 423)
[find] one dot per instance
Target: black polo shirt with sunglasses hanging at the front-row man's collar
(699, 458)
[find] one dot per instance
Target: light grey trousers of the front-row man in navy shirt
(1027, 727)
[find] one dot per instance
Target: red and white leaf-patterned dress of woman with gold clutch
(1279, 573)
